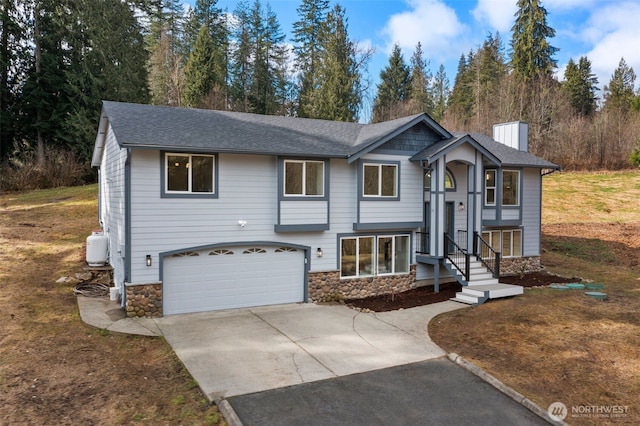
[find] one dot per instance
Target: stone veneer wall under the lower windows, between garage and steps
(327, 286)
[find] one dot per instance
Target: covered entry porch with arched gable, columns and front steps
(451, 235)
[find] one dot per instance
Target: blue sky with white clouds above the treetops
(603, 30)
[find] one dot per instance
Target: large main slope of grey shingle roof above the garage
(147, 126)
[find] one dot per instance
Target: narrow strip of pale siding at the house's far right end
(531, 212)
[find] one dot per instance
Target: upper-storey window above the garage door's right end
(303, 178)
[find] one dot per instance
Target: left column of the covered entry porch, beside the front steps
(437, 206)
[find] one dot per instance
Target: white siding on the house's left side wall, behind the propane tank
(112, 192)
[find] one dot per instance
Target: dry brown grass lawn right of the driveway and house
(559, 345)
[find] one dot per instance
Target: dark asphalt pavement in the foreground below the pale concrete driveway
(432, 392)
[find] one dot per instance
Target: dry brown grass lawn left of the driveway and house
(55, 370)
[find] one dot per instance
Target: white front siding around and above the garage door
(247, 191)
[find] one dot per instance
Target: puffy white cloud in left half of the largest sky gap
(430, 22)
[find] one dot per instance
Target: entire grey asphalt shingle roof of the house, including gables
(188, 129)
